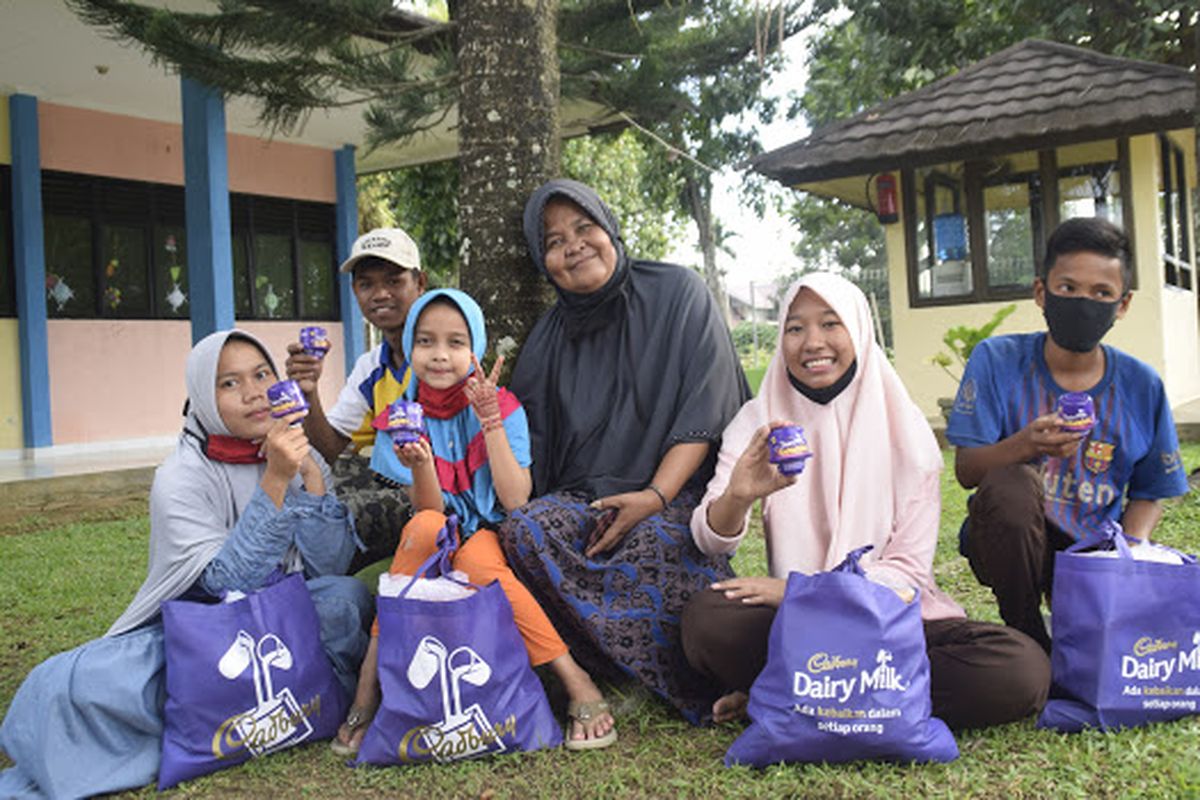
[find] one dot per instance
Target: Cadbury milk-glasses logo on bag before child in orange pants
(463, 733)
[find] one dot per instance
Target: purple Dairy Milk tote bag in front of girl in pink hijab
(847, 678)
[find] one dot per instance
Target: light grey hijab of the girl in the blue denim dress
(195, 502)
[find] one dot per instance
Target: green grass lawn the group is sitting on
(63, 586)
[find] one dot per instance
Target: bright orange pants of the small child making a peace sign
(483, 562)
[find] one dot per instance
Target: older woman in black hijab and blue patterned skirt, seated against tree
(628, 382)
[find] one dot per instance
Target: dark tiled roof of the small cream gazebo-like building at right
(1030, 95)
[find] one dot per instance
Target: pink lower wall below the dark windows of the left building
(113, 381)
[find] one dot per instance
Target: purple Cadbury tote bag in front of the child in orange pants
(455, 677)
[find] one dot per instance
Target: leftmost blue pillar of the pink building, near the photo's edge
(29, 248)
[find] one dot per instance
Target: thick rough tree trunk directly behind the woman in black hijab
(508, 146)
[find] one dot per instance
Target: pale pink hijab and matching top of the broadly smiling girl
(875, 474)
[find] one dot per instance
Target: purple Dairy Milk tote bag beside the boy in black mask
(1126, 639)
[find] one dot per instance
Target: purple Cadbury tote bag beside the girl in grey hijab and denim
(244, 679)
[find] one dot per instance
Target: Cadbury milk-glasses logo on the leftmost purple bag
(277, 720)
